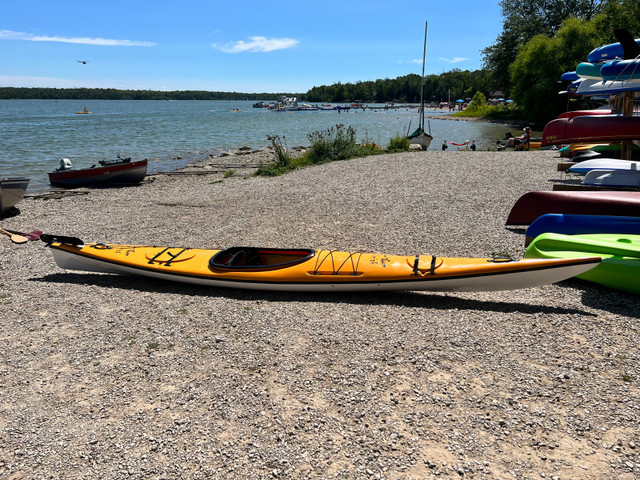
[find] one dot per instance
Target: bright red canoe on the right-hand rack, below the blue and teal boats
(591, 128)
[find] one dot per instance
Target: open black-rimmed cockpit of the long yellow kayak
(241, 258)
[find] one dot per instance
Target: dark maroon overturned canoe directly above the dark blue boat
(534, 204)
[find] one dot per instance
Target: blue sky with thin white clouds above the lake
(241, 46)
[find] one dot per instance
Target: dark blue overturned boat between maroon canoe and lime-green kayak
(568, 224)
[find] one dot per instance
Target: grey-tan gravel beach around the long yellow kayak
(113, 377)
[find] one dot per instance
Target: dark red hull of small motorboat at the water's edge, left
(117, 173)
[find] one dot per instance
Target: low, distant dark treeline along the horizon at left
(20, 93)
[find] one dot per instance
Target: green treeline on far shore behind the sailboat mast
(438, 88)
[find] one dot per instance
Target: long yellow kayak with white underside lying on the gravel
(311, 270)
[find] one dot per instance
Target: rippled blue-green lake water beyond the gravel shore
(35, 134)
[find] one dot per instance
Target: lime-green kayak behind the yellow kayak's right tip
(620, 253)
